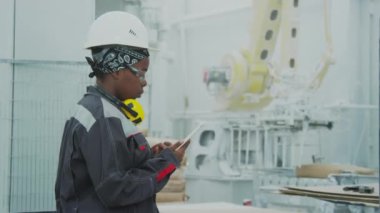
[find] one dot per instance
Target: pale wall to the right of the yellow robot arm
(351, 85)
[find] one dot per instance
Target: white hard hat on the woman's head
(116, 27)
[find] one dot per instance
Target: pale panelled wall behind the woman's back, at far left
(38, 90)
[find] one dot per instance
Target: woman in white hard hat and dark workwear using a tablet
(105, 163)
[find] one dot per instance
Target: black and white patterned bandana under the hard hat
(114, 58)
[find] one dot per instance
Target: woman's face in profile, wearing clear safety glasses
(129, 84)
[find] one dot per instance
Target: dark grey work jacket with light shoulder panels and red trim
(105, 164)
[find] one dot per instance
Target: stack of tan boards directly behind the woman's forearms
(175, 189)
